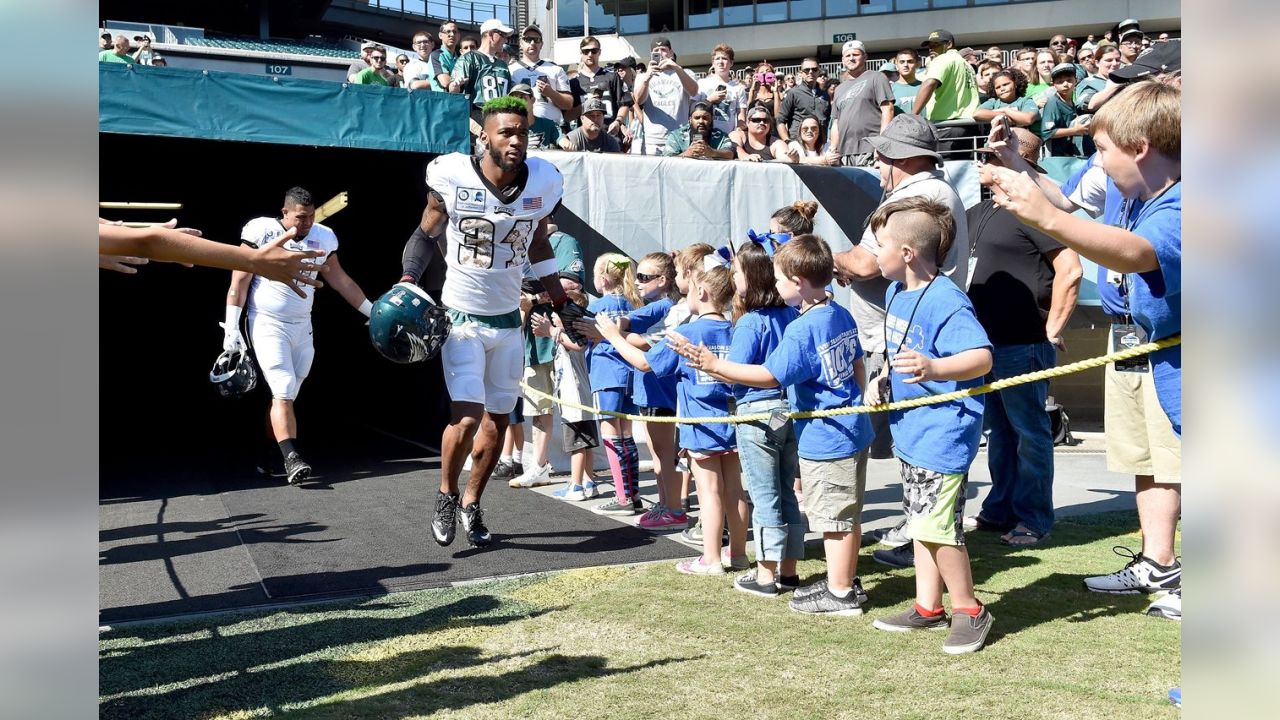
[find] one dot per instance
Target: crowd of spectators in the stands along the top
(1054, 92)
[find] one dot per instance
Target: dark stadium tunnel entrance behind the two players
(161, 334)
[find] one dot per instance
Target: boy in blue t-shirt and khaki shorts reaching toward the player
(821, 362)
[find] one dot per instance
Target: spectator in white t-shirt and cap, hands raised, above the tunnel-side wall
(664, 95)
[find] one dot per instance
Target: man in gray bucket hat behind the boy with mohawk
(907, 156)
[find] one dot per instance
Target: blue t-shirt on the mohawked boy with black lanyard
(941, 438)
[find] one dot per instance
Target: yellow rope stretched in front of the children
(886, 407)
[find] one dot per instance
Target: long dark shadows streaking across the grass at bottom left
(246, 685)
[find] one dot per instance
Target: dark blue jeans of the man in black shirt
(1021, 448)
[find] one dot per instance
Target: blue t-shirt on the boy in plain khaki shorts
(816, 362)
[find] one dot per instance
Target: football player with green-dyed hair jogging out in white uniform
(492, 212)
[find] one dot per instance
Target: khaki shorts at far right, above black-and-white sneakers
(1141, 440)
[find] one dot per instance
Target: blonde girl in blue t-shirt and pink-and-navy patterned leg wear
(611, 382)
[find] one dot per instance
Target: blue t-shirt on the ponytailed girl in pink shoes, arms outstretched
(697, 393)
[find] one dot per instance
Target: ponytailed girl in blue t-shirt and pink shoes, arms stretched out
(711, 446)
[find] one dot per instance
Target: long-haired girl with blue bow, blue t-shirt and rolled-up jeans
(769, 457)
